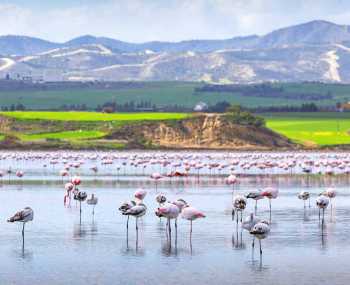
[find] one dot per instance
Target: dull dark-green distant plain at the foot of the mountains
(168, 93)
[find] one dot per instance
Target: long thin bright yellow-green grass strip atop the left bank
(93, 116)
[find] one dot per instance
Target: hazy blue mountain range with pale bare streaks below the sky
(313, 51)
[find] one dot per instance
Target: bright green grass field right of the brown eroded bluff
(322, 129)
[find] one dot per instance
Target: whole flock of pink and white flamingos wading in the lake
(182, 166)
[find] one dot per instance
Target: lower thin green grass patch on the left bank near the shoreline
(70, 135)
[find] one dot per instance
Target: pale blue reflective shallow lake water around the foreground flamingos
(58, 250)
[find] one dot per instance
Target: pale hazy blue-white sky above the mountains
(165, 20)
